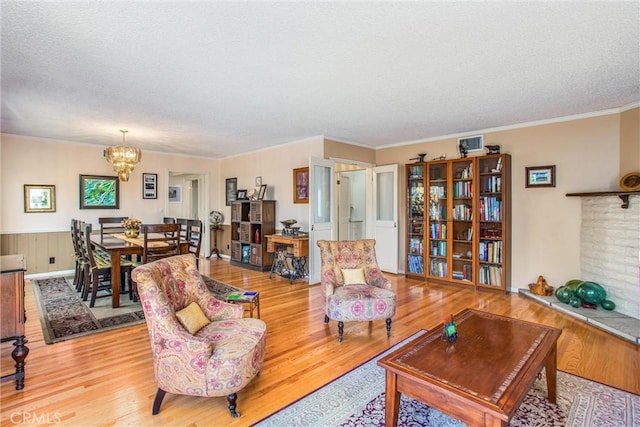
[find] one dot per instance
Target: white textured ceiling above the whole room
(216, 79)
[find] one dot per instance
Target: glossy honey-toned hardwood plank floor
(107, 378)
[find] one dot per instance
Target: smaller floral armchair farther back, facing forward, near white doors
(353, 286)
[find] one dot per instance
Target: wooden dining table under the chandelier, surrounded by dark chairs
(119, 245)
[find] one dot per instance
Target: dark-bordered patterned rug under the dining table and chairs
(64, 316)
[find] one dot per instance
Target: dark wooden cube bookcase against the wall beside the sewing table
(251, 220)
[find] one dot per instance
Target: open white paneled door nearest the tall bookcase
(385, 215)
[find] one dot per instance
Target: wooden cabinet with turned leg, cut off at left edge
(13, 313)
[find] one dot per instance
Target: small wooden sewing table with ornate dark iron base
(293, 248)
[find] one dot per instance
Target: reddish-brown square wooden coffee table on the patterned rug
(481, 378)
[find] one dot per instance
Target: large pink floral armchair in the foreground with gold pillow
(220, 358)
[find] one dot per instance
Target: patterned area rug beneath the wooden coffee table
(358, 399)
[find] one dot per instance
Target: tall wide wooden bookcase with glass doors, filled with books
(459, 221)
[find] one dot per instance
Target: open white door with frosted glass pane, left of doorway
(322, 224)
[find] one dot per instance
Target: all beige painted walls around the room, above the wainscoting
(587, 154)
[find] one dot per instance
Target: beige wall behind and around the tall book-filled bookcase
(545, 223)
